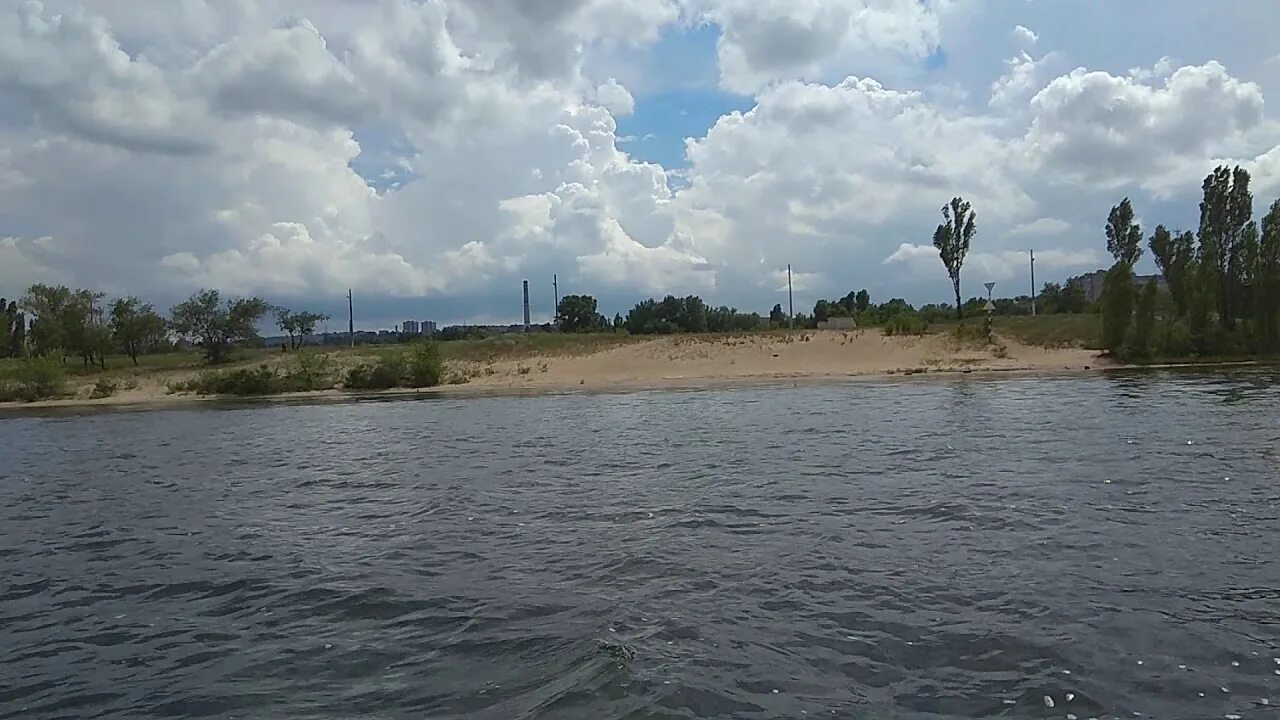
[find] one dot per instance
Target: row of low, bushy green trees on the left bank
(60, 322)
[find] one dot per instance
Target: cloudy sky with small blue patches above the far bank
(432, 154)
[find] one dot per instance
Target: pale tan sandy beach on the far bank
(674, 362)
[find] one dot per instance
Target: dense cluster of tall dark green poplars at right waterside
(1223, 280)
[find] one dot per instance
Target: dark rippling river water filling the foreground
(938, 549)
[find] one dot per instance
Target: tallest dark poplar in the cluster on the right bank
(1226, 213)
